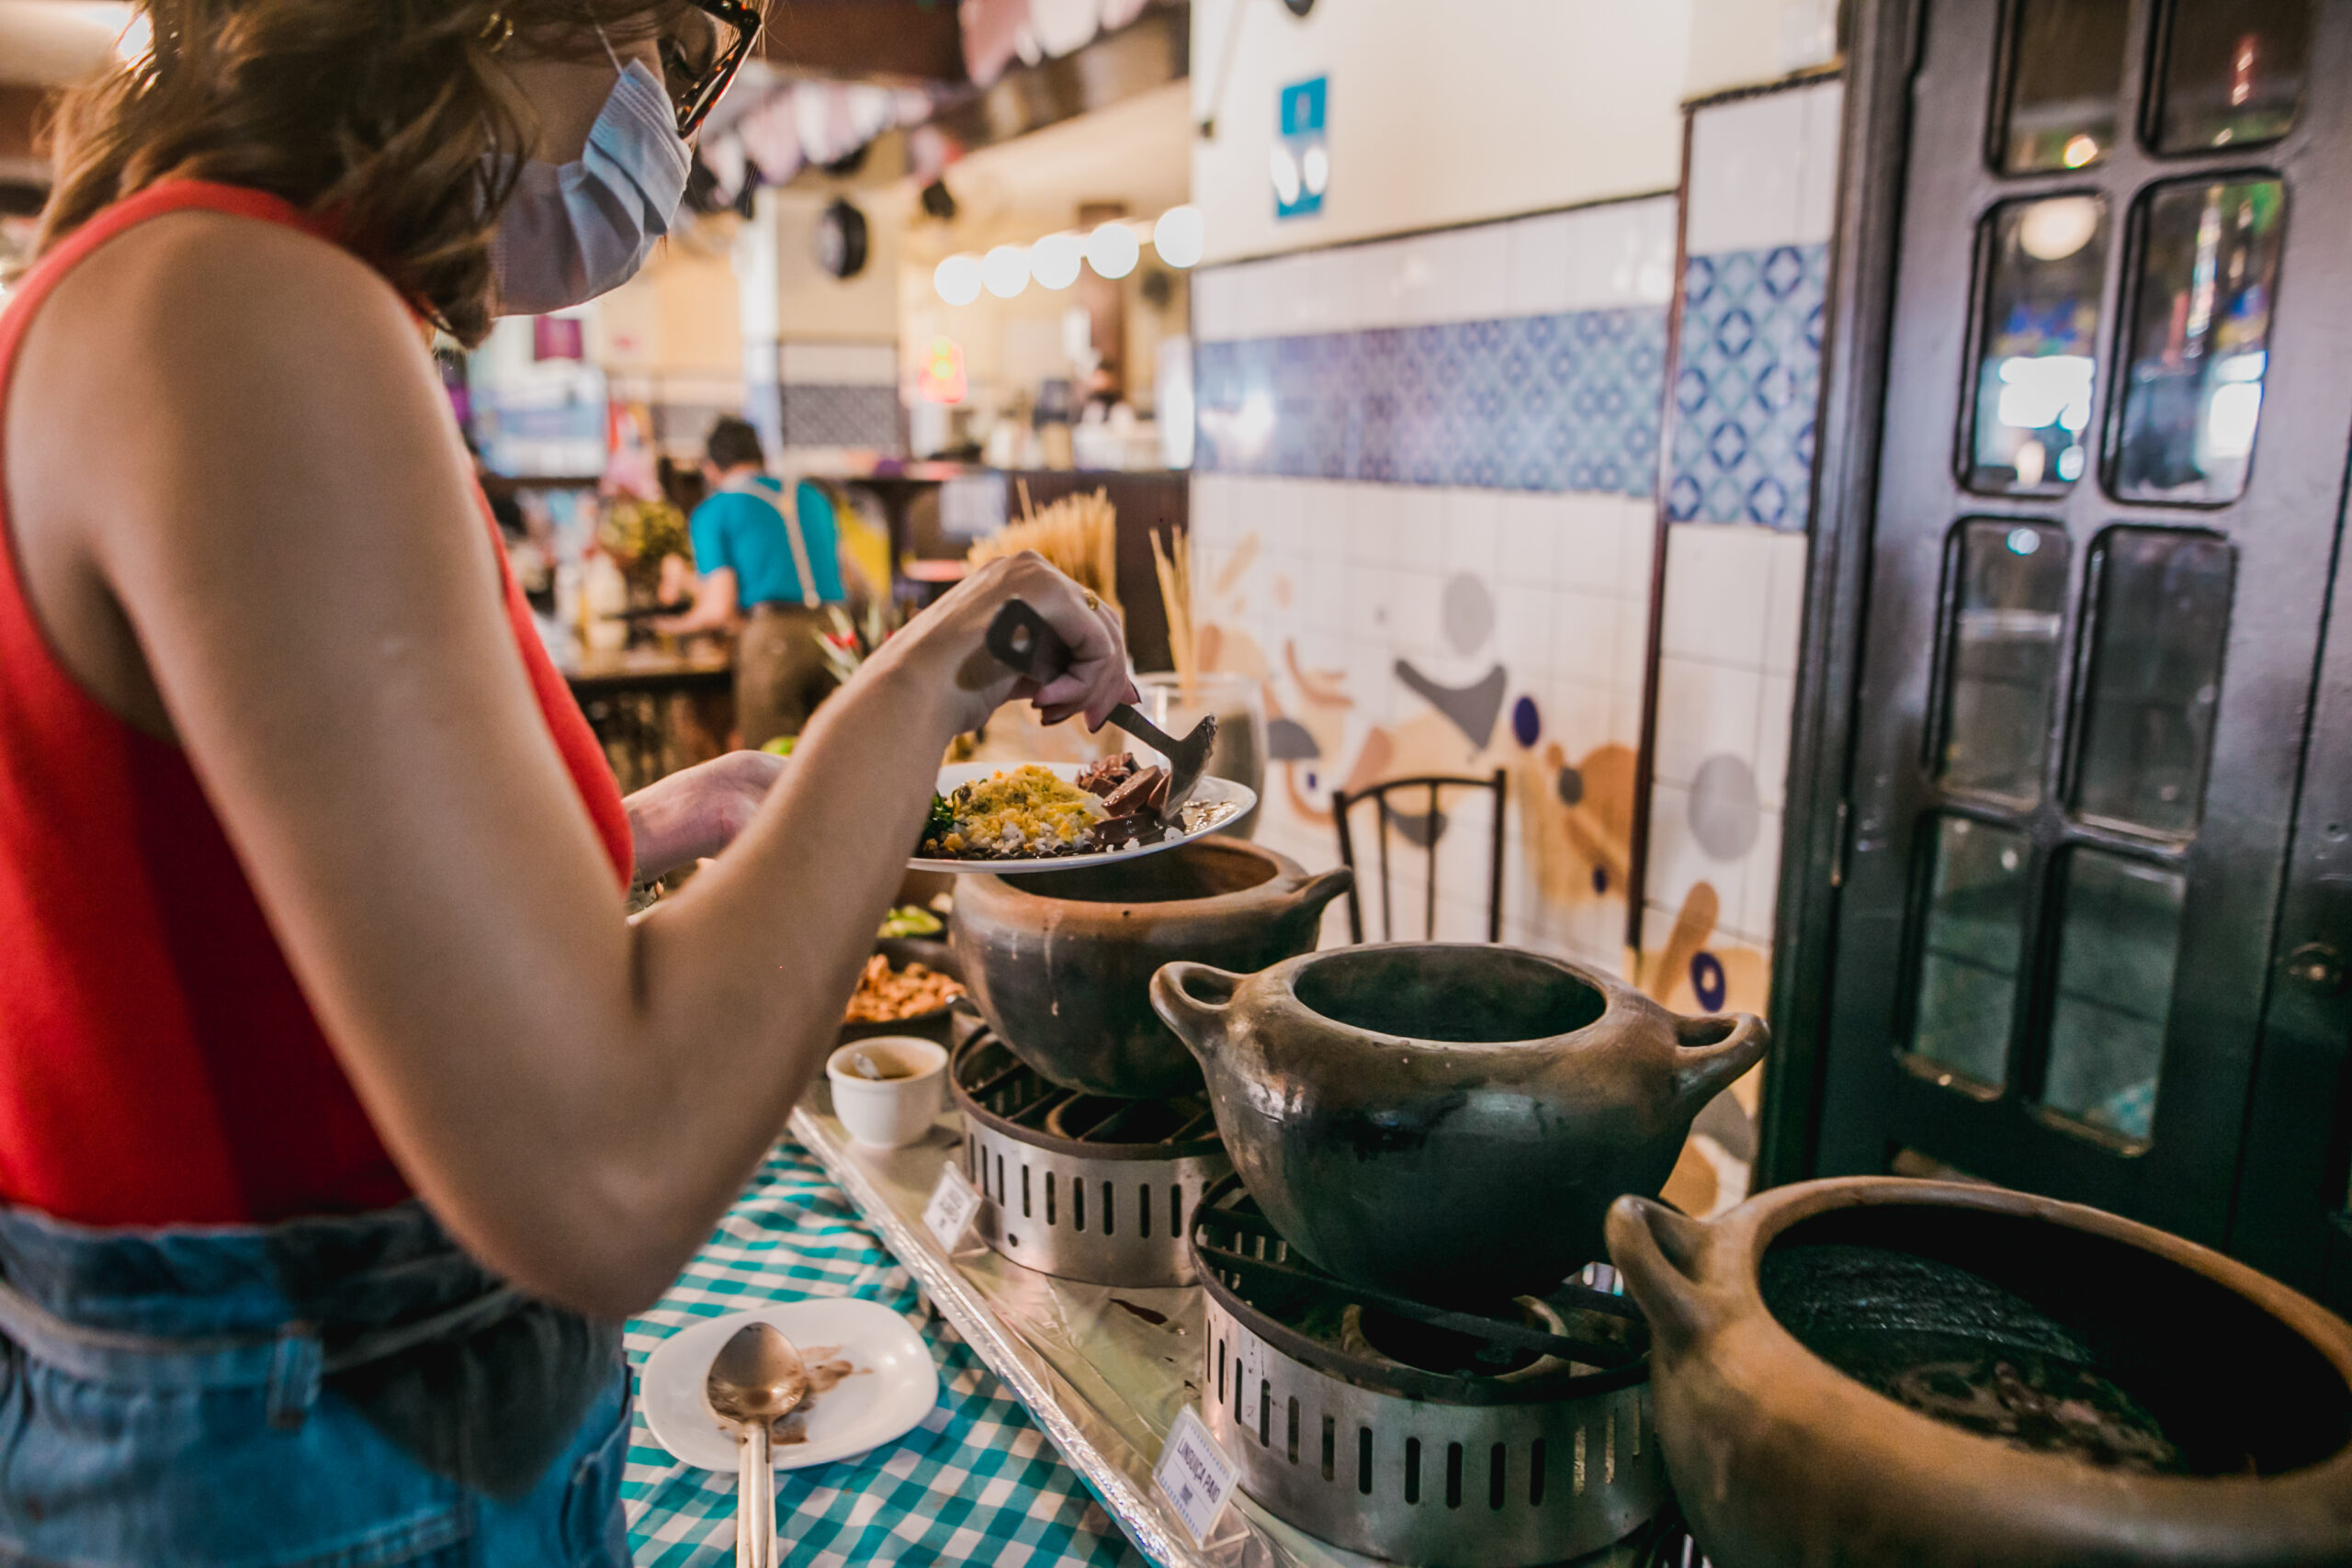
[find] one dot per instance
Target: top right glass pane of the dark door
(2233, 72)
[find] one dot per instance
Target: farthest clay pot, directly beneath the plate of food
(1062, 963)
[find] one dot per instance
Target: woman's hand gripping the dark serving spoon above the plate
(949, 643)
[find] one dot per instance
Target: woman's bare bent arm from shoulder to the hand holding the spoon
(232, 467)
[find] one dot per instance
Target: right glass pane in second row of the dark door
(2200, 340)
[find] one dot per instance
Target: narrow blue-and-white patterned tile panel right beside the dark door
(1749, 387)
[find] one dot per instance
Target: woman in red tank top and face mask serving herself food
(335, 1090)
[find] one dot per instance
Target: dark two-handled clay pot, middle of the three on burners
(1448, 1123)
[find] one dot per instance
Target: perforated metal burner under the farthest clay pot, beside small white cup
(1083, 1186)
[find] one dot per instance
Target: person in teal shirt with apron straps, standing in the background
(768, 568)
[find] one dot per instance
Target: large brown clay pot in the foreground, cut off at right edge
(1782, 1459)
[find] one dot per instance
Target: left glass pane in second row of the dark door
(2038, 344)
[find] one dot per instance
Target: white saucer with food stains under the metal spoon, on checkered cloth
(888, 1393)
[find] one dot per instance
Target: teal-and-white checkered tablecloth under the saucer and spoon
(973, 1485)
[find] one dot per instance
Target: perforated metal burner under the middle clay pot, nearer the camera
(1424, 1435)
